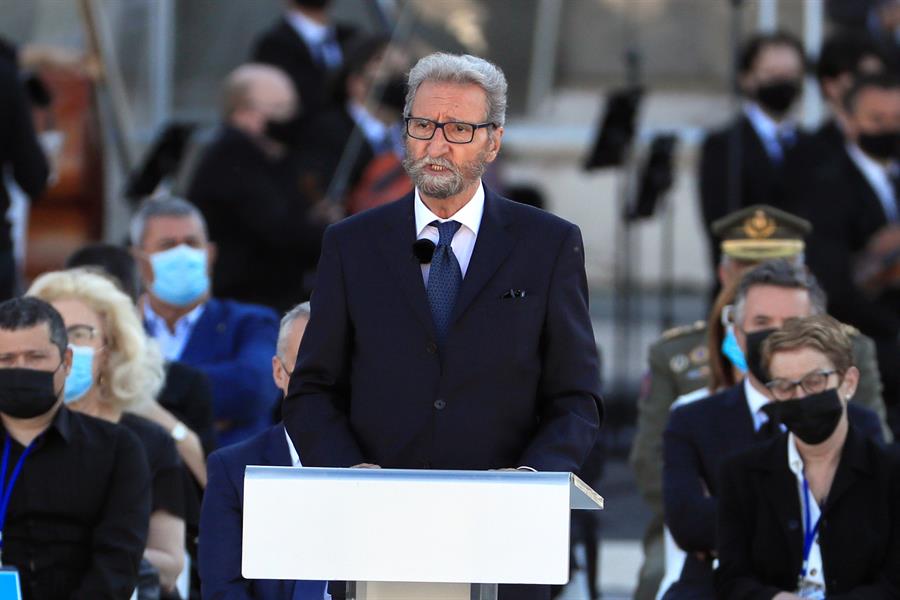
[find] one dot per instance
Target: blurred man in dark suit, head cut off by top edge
(309, 49)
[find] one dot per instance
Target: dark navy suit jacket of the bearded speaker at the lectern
(515, 384)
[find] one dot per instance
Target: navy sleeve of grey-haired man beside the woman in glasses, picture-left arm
(690, 510)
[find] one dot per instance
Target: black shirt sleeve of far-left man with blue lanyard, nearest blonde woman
(120, 535)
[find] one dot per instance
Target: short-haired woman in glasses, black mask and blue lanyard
(815, 511)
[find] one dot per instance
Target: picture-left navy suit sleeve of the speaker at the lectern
(316, 409)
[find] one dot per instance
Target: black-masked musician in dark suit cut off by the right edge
(849, 200)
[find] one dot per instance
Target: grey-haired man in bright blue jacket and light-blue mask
(229, 341)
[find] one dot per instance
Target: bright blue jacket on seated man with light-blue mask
(233, 343)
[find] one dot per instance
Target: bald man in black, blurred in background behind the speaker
(249, 186)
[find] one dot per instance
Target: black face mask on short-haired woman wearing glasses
(812, 418)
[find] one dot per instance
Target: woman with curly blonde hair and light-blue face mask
(116, 373)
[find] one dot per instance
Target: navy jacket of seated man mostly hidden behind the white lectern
(221, 522)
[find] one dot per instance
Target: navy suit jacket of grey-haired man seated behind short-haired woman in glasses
(697, 438)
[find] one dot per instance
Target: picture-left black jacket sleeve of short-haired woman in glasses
(734, 577)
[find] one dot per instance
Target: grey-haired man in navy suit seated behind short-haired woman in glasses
(699, 435)
